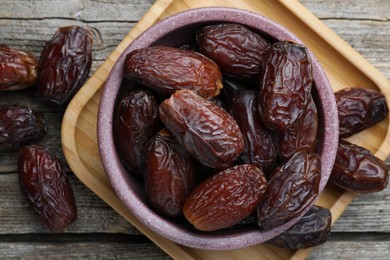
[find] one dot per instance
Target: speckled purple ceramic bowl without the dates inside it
(175, 31)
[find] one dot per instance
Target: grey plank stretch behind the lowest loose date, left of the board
(94, 215)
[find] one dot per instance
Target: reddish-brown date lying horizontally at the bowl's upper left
(167, 69)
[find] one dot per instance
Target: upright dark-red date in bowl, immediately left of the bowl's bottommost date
(170, 174)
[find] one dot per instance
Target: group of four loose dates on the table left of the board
(57, 75)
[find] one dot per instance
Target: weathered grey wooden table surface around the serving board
(362, 232)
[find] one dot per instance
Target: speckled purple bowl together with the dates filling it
(202, 137)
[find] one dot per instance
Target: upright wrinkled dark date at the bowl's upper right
(286, 85)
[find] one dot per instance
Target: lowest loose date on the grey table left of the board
(46, 186)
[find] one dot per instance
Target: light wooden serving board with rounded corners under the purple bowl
(344, 68)
